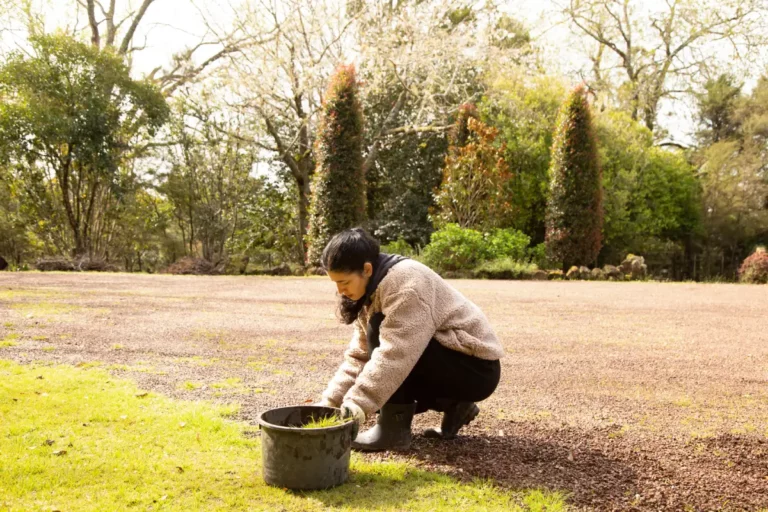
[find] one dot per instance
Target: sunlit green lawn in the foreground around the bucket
(79, 439)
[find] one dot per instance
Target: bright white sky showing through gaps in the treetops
(172, 25)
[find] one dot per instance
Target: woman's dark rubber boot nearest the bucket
(391, 432)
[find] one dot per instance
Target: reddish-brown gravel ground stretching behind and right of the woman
(625, 396)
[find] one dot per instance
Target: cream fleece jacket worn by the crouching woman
(418, 305)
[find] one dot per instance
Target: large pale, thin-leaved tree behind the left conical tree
(419, 61)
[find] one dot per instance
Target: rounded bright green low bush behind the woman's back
(455, 248)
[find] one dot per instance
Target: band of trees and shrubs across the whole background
(219, 154)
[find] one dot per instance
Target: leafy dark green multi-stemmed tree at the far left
(71, 117)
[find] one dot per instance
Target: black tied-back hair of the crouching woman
(349, 251)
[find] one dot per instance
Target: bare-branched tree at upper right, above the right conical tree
(651, 54)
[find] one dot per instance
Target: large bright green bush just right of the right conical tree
(651, 196)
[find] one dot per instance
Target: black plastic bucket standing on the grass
(304, 458)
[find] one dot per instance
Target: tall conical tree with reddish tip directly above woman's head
(339, 184)
